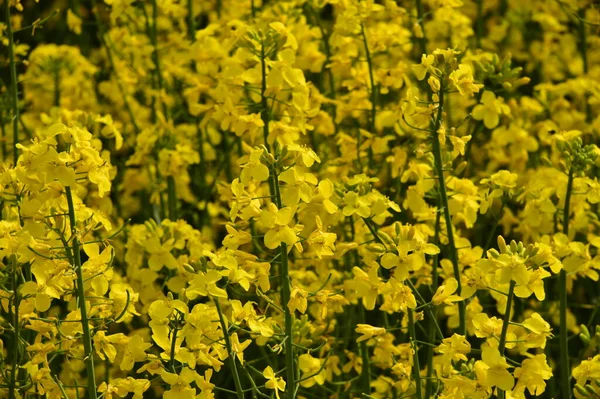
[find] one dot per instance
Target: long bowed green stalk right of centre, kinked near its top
(439, 169)
